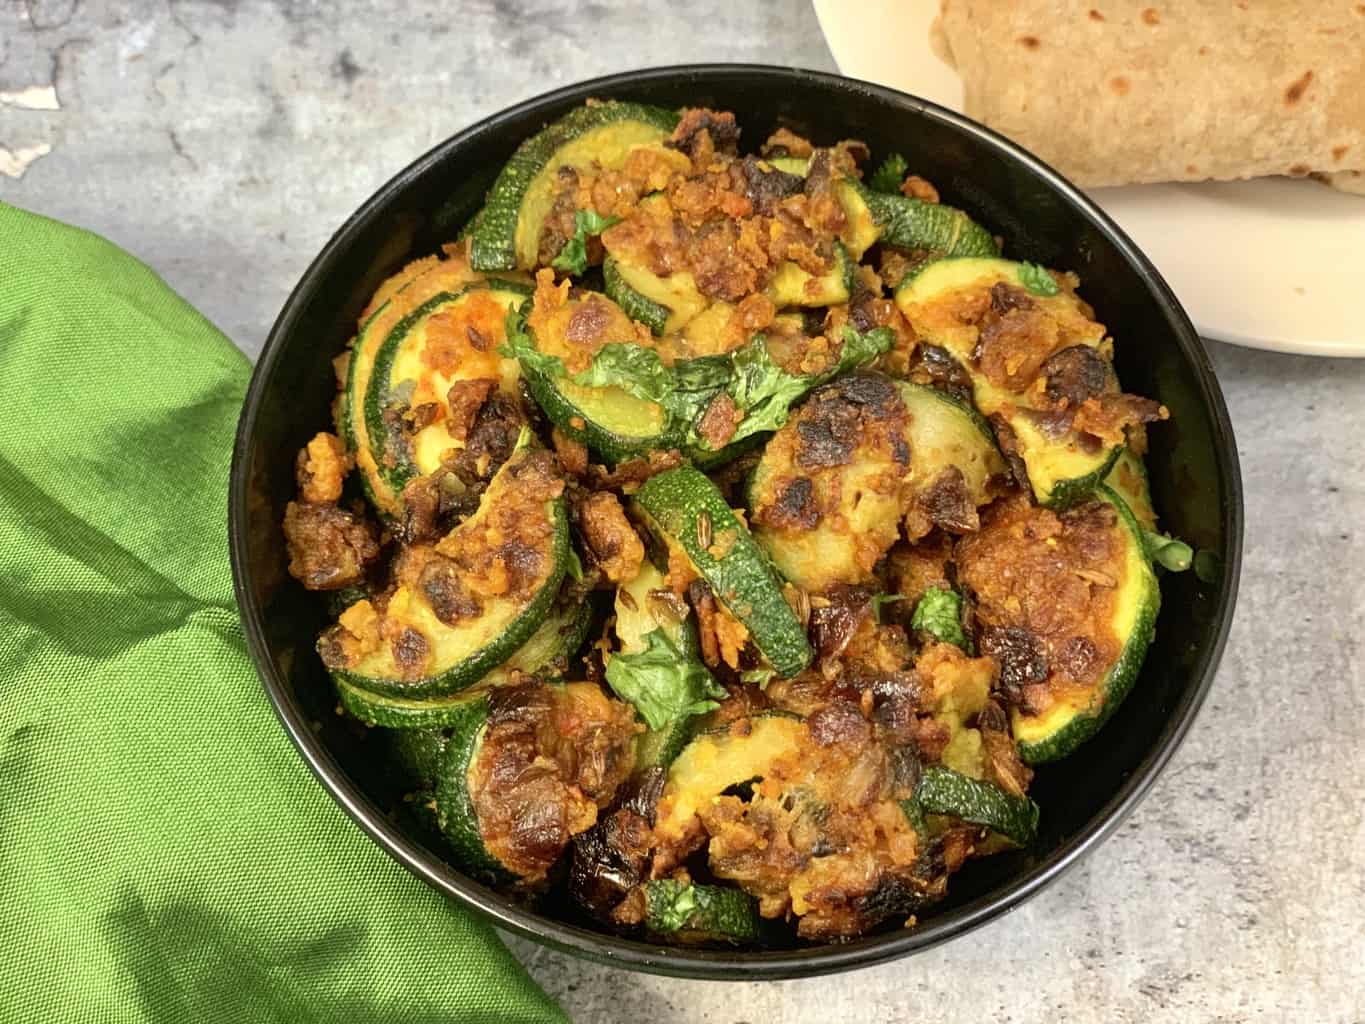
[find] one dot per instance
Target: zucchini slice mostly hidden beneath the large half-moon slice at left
(558, 638)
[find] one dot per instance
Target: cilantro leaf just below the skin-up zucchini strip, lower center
(661, 683)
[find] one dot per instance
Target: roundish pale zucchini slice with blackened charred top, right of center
(828, 517)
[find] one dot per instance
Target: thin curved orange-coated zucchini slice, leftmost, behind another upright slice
(405, 293)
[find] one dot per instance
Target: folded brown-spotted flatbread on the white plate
(1124, 92)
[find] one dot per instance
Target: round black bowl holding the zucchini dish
(1194, 468)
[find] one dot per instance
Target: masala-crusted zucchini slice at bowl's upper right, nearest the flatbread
(1034, 368)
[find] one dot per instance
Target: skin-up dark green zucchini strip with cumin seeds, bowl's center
(689, 518)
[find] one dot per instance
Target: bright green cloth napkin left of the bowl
(164, 854)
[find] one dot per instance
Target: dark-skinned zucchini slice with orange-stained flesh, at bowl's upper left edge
(452, 337)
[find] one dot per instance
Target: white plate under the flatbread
(1270, 264)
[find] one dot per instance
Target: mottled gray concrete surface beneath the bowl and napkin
(223, 143)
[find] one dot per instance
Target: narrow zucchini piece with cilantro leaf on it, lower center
(659, 668)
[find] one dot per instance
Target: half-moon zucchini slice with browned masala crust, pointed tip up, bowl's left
(465, 606)
